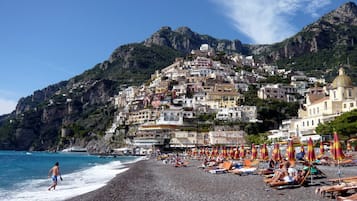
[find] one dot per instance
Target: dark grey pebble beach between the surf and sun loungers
(151, 180)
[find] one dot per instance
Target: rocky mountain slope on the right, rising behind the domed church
(320, 47)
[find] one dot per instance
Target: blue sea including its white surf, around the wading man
(23, 175)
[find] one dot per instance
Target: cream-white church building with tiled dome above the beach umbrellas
(324, 105)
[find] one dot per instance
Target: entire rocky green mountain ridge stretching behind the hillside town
(81, 106)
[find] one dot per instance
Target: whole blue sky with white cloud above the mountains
(44, 42)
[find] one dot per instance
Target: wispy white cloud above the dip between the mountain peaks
(268, 21)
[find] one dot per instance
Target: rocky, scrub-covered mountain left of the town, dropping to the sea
(81, 108)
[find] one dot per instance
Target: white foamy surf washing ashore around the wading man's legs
(73, 184)
